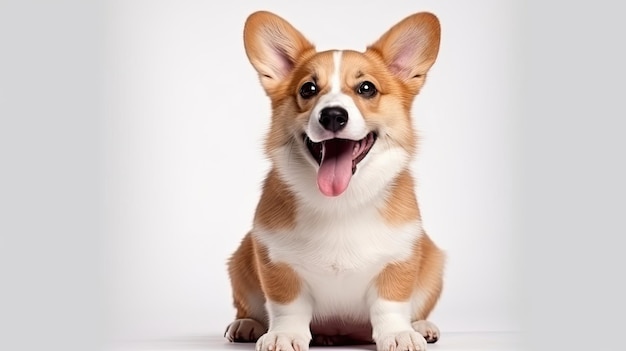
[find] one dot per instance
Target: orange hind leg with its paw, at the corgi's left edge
(251, 318)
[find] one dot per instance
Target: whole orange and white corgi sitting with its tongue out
(337, 253)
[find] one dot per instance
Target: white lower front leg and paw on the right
(391, 326)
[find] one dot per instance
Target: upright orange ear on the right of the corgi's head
(410, 47)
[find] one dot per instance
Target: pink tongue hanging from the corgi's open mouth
(335, 170)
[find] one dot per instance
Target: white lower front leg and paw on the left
(289, 326)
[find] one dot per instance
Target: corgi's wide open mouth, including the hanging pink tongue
(338, 159)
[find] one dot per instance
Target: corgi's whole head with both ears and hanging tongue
(341, 113)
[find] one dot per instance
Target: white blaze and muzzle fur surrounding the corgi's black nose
(356, 128)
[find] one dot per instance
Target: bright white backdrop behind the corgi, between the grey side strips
(183, 127)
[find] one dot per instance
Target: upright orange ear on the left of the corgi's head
(273, 46)
